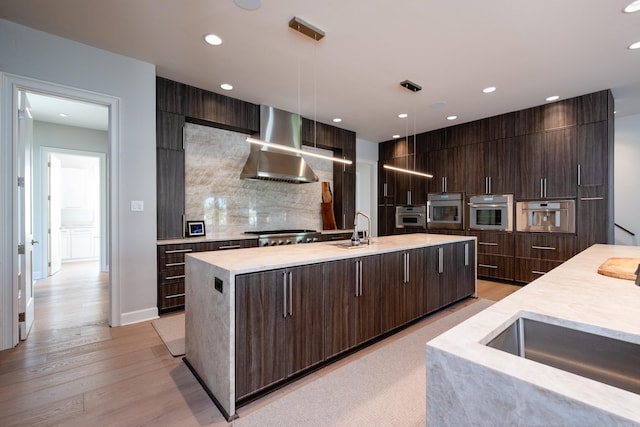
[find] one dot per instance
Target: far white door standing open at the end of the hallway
(54, 212)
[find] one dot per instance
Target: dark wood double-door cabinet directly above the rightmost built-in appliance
(547, 165)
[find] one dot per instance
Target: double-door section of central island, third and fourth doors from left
(352, 303)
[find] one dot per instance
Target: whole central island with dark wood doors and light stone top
(258, 317)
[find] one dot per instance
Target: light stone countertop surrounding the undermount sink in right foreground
(572, 295)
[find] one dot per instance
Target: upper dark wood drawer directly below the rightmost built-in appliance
(555, 247)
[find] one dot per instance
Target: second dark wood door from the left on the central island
(305, 317)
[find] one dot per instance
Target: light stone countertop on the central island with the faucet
(259, 259)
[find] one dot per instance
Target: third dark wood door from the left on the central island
(340, 305)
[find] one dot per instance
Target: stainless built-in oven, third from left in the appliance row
(493, 212)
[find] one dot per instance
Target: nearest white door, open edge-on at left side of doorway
(24, 218)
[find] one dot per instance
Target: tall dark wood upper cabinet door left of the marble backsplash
(170, 193)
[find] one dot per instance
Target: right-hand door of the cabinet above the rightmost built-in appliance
(560, 157)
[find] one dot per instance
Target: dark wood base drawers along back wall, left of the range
(171, 265)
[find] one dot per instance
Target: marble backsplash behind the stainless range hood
(215, 193)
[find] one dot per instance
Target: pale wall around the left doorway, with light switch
(36, 55)
